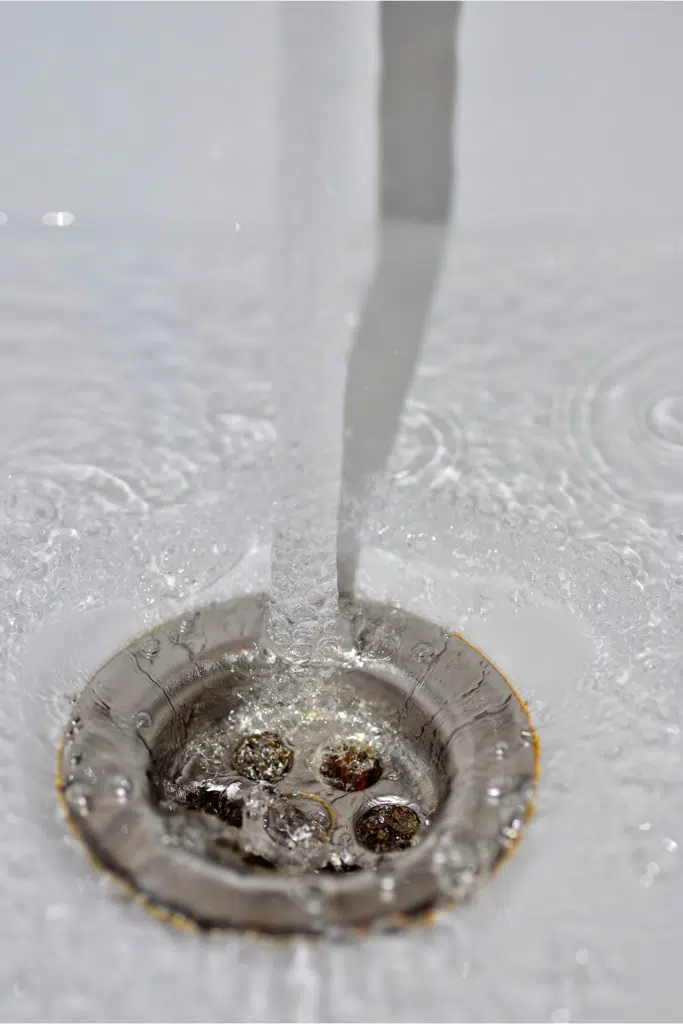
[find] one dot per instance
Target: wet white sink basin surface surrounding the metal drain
(536, 504)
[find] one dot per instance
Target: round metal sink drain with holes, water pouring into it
(241, 791)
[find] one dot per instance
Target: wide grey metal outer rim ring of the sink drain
(210, 894)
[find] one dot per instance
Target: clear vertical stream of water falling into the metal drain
(311, 328)
